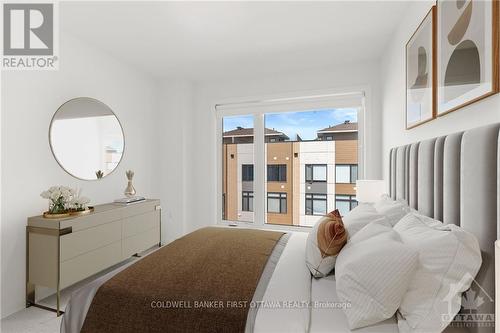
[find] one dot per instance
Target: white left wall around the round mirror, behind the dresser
(29, 100)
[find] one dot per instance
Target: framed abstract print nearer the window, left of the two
(421, 72)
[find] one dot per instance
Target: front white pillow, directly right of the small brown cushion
(372, 272)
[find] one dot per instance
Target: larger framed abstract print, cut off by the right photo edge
(467, 53)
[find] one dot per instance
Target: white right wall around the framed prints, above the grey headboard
(393, 95)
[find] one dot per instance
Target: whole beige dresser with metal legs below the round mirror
(61, 252)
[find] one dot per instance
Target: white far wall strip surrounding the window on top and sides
(202, 174)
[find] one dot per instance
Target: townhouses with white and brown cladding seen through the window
(305, 179)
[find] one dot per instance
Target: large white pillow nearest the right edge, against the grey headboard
(449, 259)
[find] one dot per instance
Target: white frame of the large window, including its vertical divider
(359, 97)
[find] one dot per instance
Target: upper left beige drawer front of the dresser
(80, 242)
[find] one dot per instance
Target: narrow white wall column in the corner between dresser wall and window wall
(174, 135)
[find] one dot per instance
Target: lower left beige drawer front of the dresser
(87, 264)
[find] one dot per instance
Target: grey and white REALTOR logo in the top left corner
(29, 36)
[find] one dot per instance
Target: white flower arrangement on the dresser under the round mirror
(63, 199)
